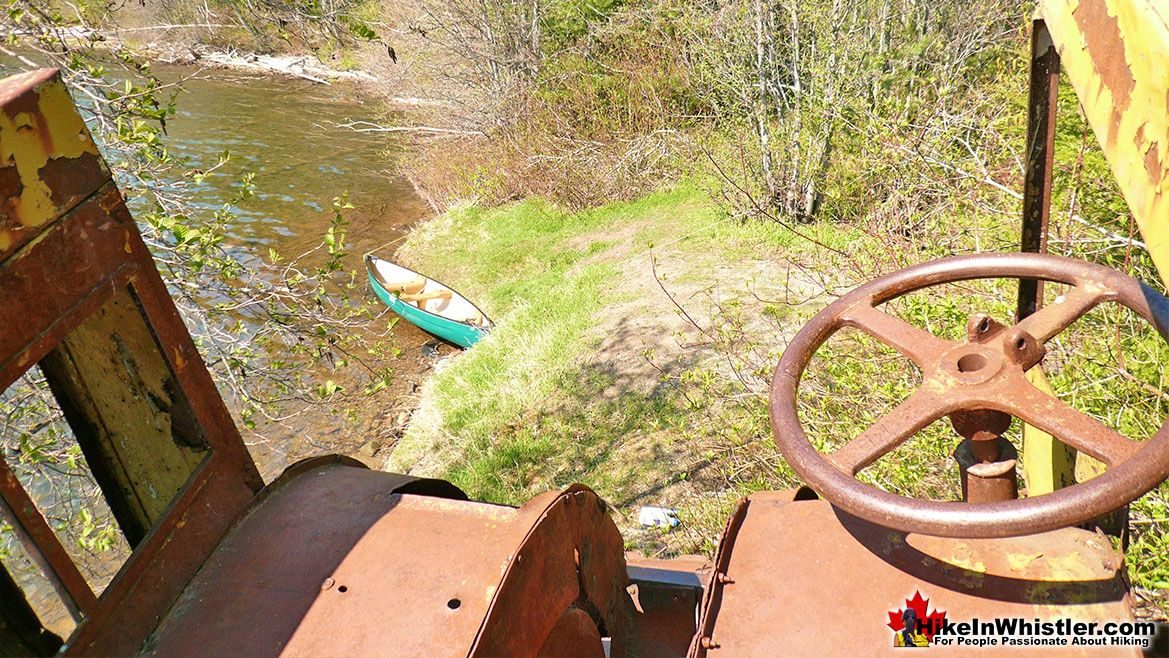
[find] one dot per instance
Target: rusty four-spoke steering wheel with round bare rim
(985, 372)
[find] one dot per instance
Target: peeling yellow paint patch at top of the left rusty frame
(30, 141)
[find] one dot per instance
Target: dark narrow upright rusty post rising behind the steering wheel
(1041, 148)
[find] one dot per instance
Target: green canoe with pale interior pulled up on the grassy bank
(430, 306)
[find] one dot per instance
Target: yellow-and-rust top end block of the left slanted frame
(49, 161)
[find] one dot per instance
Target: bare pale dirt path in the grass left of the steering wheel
(674, 304)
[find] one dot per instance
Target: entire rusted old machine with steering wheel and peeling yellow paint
(336, 560)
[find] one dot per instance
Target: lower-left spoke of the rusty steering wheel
(908, 419)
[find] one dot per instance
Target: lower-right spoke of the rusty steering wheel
(1069, 425)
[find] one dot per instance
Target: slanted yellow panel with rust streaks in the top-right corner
(1115, 54)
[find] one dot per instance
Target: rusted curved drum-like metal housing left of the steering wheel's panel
(338, 563)
